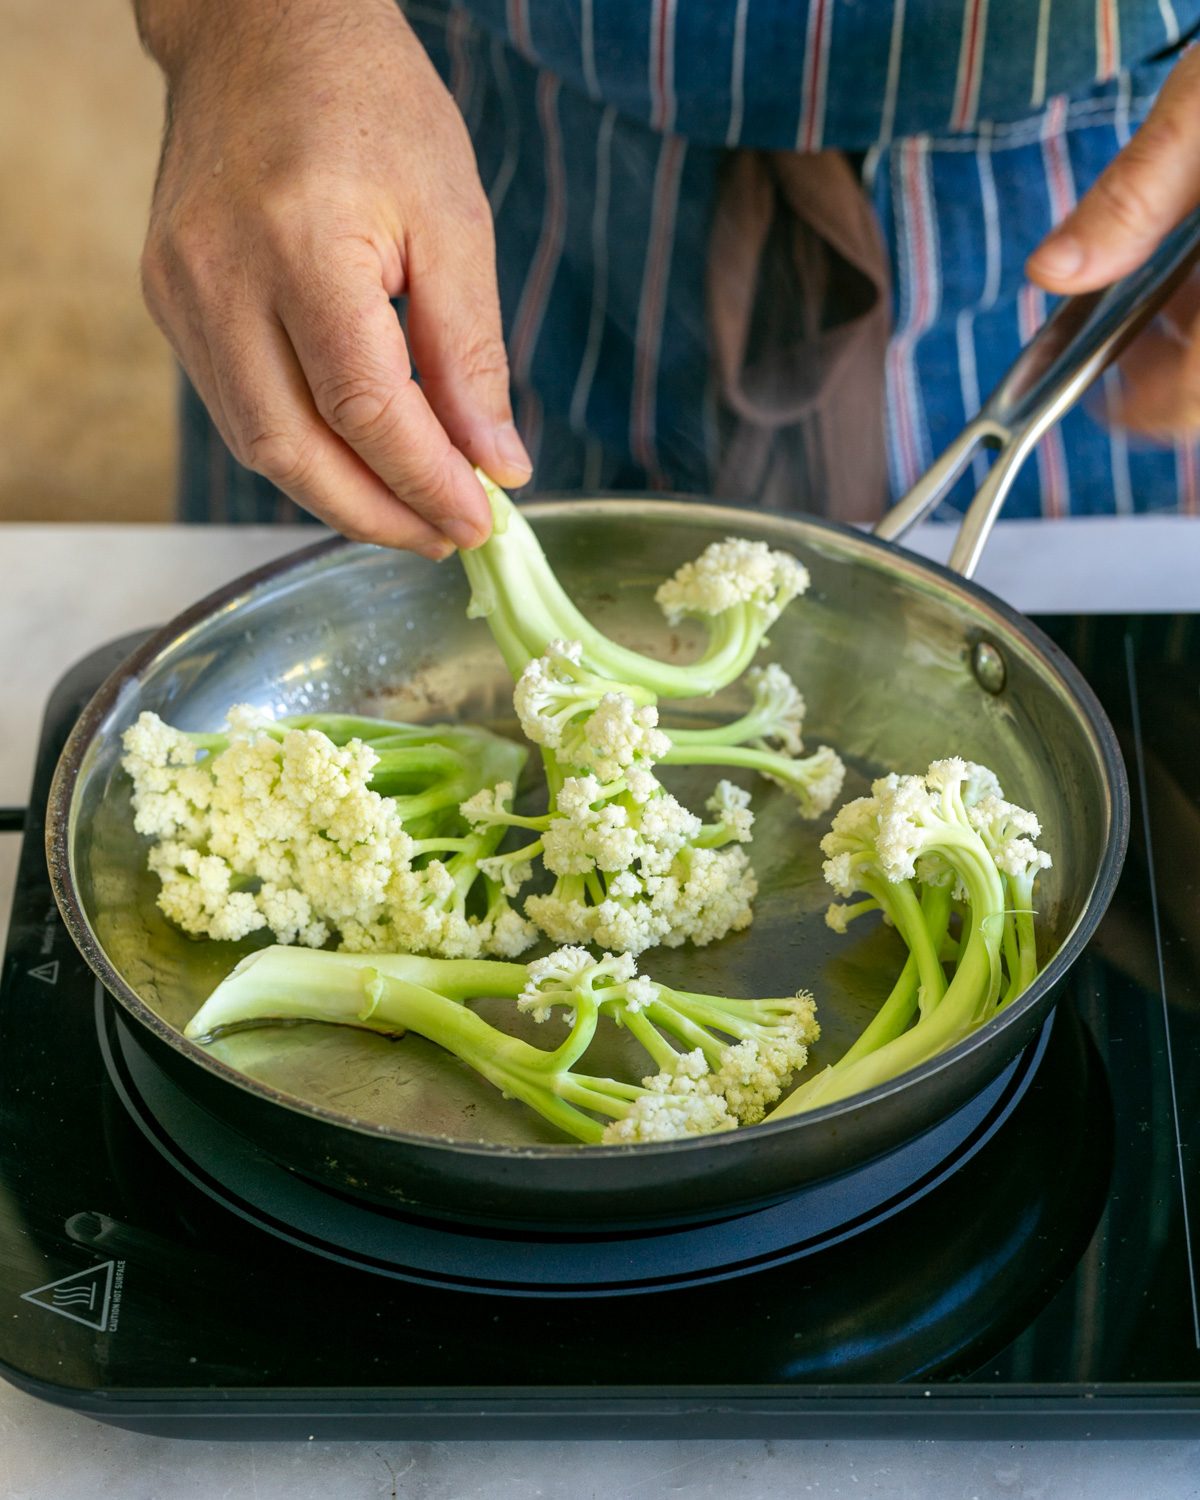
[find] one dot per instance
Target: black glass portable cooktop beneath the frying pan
(1025, 1268)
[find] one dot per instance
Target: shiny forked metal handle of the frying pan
(1072, 349)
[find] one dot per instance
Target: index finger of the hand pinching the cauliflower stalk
(352, 352)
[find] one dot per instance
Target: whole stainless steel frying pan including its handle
(901, 662)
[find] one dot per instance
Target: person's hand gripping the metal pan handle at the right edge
(1147, 191)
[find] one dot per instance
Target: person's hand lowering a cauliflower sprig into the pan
(314, 169)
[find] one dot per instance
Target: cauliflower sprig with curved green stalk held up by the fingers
(632, 866)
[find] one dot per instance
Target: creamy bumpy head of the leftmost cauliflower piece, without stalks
(286, 832)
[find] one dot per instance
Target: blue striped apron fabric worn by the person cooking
(601, 127)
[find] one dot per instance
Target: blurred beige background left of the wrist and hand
(86, 380)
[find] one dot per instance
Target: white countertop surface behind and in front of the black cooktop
(68, 589)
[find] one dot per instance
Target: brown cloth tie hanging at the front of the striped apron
(799, 304)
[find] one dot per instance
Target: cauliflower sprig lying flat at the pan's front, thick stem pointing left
(737, 1055)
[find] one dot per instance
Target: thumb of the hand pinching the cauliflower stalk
(458, 347)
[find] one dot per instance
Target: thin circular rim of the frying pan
(868, 548)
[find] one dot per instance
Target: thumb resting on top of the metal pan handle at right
(1136, 202)
